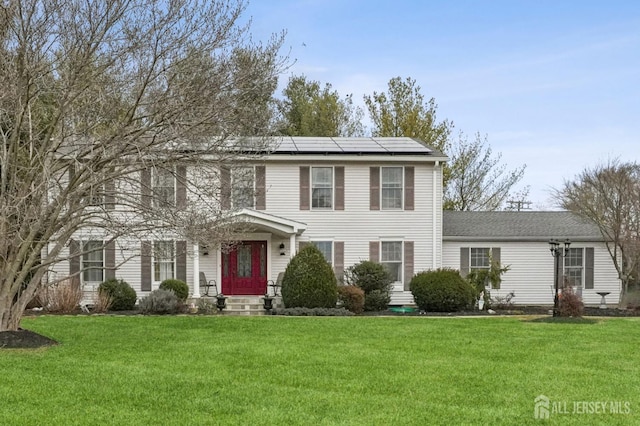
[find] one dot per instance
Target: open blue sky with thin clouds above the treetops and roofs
(553, 84)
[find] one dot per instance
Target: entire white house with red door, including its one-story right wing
(356, 199)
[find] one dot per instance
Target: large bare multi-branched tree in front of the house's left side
(96, 92)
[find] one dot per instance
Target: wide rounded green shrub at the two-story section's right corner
(442, 290)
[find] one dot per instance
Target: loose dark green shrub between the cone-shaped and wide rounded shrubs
(376, 282)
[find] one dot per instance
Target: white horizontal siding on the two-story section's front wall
(354, 227)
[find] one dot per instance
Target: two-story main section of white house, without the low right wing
(354, 198)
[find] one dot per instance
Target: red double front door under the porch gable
(244, 269)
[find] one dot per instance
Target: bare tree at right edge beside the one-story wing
(609, 196)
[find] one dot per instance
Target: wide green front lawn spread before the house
(355, 370)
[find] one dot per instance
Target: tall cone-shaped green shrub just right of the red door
(309, 281)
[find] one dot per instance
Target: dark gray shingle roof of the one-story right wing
(517, 226)
